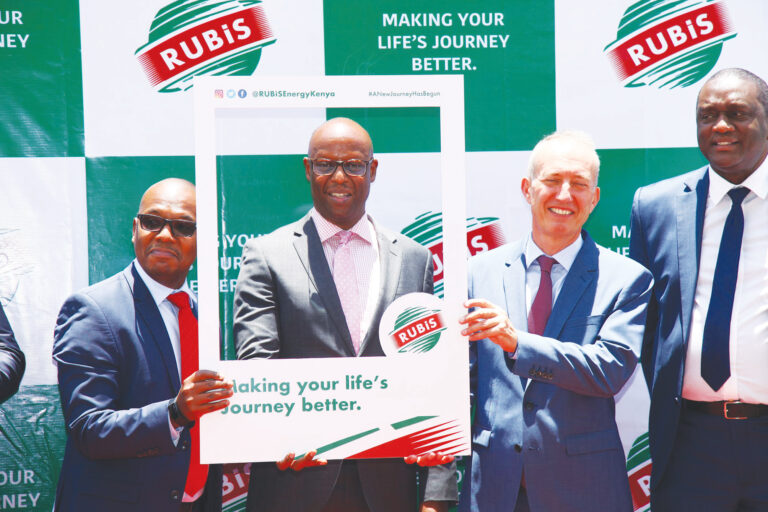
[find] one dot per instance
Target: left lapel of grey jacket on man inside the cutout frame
(310, 251)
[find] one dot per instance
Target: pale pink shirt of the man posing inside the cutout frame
(365, 255)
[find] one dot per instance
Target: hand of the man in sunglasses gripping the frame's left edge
(203, 392)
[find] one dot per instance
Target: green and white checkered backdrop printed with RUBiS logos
(95, 106)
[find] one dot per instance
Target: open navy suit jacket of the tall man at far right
(667, 223)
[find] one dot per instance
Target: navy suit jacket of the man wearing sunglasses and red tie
(117, 375)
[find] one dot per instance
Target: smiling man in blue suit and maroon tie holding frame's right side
(557, 324)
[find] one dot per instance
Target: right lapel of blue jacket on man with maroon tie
(581, 274)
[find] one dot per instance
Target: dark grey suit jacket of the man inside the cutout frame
(286, 305)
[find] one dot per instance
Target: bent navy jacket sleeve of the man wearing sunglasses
(87, 354)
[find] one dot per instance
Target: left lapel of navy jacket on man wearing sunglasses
(149, 321)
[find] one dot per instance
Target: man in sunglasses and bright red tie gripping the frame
(126, 354)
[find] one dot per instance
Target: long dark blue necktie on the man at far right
(715, 357)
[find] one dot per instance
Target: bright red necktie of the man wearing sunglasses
(198, 473)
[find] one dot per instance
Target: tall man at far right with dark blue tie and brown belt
(705, 352)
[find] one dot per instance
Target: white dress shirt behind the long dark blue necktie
(749, 322)
